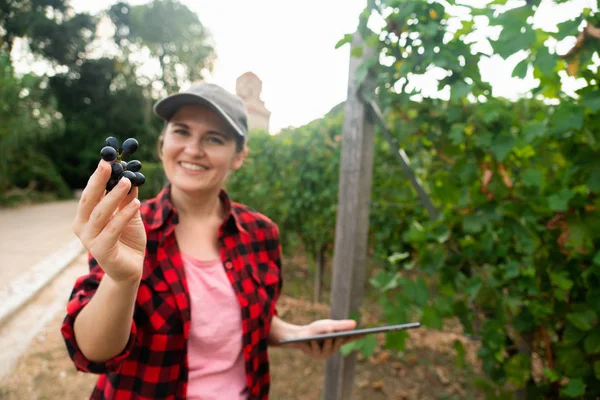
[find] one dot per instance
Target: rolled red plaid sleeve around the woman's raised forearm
(82, 293)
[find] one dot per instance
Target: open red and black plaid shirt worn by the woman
(154, 364)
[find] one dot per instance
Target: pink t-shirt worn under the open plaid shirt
(215, 358)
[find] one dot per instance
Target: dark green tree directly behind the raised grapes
(101, 100)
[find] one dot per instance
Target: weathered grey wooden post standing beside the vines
(352, 226)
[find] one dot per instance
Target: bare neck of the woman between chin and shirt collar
(198, 206)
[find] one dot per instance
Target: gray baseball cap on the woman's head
(229, 106)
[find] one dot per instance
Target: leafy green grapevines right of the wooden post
(515, 254)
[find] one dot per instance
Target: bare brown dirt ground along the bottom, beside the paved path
(426, 370)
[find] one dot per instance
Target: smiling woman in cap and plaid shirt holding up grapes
(180, 298)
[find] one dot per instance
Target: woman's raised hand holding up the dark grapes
(110, 226)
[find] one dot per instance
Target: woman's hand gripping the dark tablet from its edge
(323, 349)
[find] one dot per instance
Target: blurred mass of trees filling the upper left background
(66, 114)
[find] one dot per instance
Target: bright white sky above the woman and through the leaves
(291, 47)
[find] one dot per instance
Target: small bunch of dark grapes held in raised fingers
(113, 153)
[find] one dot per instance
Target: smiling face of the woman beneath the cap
(199, 149)
